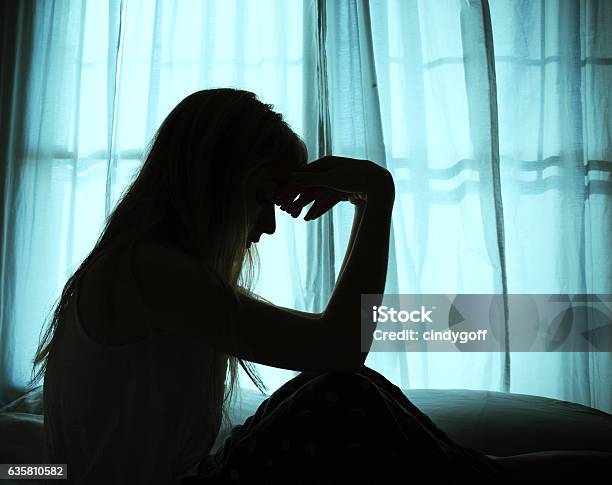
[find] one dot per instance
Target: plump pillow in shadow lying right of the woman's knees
(503, 424)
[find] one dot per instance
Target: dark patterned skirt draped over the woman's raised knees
(331, 427)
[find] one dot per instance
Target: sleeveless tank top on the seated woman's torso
(136, 413)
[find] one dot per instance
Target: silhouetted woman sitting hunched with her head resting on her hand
(161, 311)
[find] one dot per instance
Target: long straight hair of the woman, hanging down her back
(189, 184)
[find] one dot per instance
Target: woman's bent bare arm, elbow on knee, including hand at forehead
(178, 296)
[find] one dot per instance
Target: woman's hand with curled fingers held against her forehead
(331, 179)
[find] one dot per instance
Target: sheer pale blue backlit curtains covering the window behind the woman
(493, 118)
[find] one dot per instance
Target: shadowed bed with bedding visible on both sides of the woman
(494, 423)
